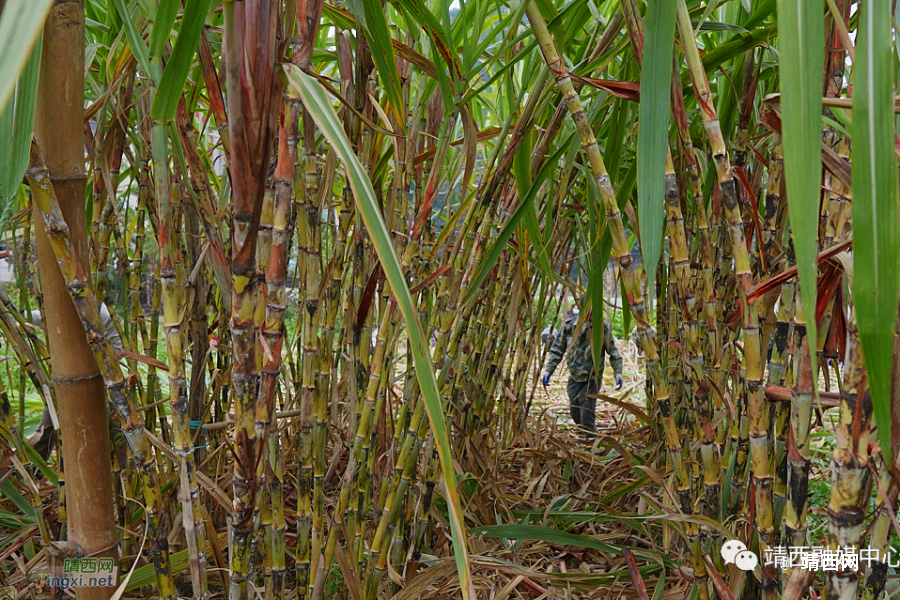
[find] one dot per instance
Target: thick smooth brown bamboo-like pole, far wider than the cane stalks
(83, 416)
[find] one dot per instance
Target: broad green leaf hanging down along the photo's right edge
(876, 236)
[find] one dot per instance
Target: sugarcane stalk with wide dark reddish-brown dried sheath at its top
(251, 30)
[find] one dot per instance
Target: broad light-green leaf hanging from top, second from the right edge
(801, 33)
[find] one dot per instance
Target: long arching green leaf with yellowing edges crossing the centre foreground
(313, 96)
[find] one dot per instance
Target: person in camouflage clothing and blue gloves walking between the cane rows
(584, 379)
